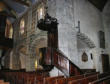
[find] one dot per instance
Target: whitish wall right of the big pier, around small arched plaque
(90, 24)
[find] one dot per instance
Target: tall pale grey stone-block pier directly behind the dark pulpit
(67, 40)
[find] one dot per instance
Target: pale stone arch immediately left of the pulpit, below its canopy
(37, 43)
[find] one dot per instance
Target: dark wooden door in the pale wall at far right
(105, 62)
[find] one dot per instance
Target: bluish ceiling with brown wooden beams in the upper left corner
(16, 7)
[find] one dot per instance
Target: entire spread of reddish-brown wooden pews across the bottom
(43, 78)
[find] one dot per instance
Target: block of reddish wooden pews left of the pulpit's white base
(22, 77)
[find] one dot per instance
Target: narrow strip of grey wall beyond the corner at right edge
(106, 22)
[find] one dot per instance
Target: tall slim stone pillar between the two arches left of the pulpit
(29, 58)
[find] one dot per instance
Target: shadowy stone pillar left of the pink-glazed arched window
(15, 55)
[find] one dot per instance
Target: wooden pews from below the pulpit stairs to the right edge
(89, 78)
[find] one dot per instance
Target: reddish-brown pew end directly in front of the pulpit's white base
(51, 80)
